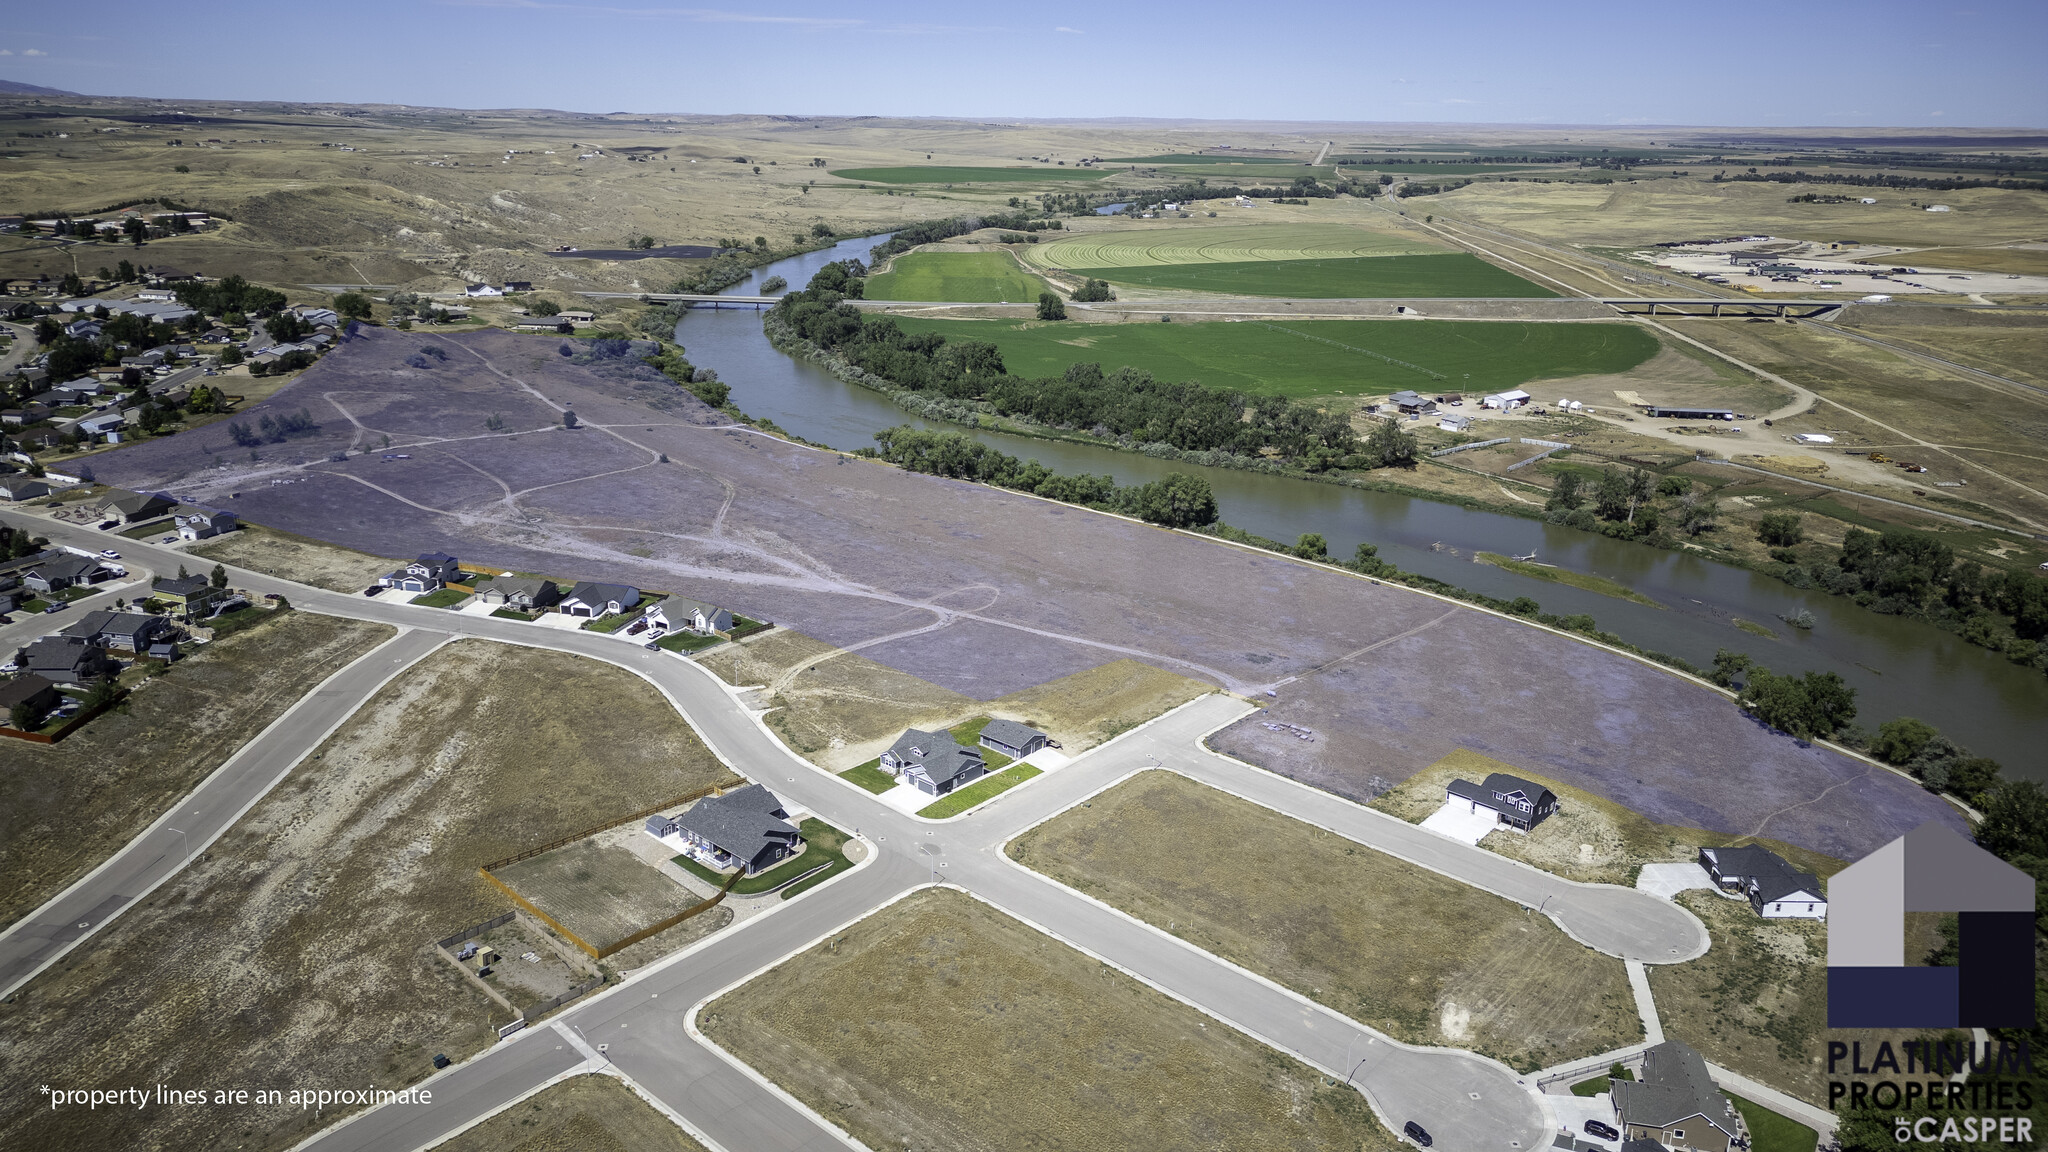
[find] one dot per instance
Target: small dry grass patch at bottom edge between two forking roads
(585, 1114)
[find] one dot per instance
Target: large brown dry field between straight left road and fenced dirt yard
(300, 948)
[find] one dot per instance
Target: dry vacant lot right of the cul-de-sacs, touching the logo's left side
(1756, 1001)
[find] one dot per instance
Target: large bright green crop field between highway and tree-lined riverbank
(1318, 358)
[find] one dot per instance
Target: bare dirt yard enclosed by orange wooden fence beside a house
(597, 891)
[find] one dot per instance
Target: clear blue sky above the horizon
(1537, 63)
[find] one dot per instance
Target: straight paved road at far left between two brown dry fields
(40, 940)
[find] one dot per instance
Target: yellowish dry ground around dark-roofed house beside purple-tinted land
(1621, 841)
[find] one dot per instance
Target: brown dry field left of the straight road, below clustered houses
(69, 807)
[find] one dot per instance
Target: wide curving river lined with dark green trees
(1897, 667)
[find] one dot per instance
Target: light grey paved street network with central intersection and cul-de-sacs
(1463, 1100)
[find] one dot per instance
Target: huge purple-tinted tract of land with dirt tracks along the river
(1007, 591)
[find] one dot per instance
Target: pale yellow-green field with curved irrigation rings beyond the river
(1224, 247)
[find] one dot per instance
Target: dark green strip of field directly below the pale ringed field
(1375, 278)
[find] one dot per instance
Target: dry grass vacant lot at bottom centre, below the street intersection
(943, 1024)
